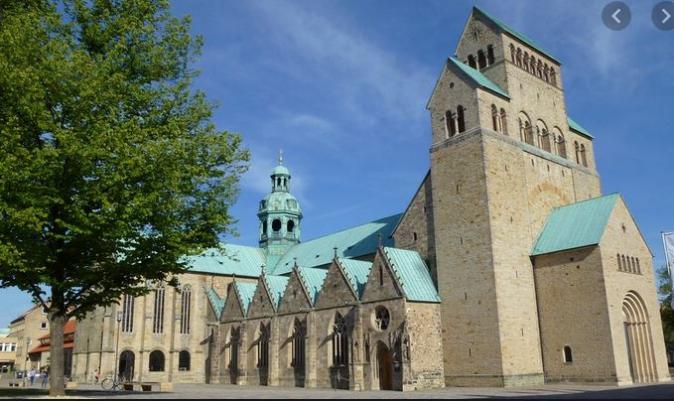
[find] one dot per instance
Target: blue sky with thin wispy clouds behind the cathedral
(341, 87)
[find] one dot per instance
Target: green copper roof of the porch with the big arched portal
(576, 225)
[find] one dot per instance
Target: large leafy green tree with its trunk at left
(110, 167)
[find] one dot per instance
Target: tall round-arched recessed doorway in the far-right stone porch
(638, 339)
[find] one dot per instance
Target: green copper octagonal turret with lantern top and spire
(279, 214)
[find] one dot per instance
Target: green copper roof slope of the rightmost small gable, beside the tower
(412, 274)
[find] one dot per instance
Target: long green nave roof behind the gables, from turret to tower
(350, 243)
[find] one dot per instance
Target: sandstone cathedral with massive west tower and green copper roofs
(508, 267)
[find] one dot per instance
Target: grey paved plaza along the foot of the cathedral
(203, 391)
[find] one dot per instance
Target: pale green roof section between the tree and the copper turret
(237, 260)
